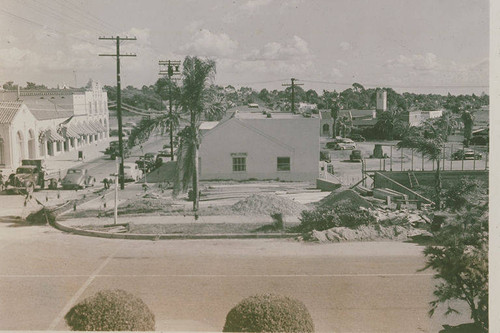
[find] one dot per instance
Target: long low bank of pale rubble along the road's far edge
(363, 233)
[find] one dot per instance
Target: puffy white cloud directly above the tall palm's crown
(207, 43)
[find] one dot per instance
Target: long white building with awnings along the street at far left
(40, 124)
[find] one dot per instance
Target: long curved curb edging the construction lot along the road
(101, 234)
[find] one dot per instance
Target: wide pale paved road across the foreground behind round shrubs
(191, 285)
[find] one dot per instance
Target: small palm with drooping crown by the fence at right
(429, 141)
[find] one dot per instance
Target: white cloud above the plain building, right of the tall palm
(296, 48)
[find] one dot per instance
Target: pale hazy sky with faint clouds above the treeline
(425, 46)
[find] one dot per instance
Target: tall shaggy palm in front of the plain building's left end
(196, 73)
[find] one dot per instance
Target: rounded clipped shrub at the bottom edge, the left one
(111, 310)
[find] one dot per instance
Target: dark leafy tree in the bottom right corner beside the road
(460, 260)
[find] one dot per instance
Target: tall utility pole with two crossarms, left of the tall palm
(119, 97)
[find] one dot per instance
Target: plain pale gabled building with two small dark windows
(253, 145)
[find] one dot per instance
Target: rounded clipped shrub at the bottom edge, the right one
(269, 313)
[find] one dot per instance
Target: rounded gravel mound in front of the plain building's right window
(265, 204)
